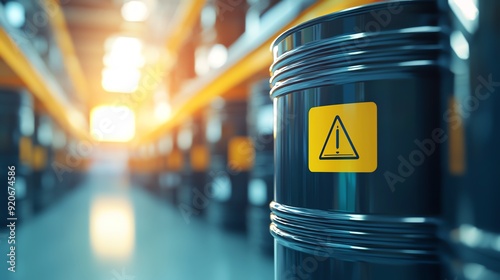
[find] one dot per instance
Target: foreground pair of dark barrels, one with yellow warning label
(386, 149)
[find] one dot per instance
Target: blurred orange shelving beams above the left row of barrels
(24, 67)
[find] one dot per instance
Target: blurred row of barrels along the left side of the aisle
(39, 160)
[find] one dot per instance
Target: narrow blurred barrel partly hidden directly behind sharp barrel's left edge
(260, 186)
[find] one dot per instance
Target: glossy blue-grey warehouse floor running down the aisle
(109, 230)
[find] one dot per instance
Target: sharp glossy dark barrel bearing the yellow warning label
(357, 180)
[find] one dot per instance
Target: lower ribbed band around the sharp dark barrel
(356, 237)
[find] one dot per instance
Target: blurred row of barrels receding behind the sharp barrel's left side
(217, 165)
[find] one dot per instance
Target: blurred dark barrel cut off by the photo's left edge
(16, 132)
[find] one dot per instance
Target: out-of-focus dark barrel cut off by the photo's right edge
(471, 191)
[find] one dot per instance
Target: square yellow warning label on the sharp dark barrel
(343, 138)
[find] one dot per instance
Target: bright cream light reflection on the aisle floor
(112, 228)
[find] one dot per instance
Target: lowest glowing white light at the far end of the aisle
(112, 123)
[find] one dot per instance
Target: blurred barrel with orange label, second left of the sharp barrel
(230, 161)
